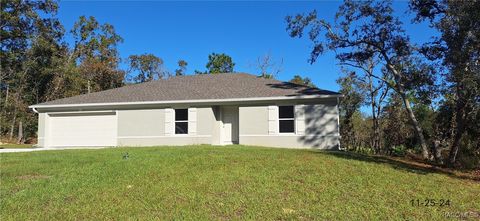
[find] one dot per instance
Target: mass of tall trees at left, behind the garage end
(37, 65)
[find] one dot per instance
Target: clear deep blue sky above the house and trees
(244, 30)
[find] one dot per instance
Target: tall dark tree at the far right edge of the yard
(457, 48)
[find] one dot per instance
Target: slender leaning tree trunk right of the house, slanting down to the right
(411, 115)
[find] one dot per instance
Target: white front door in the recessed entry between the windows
(230, 125)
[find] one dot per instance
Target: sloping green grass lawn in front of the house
(235, 182)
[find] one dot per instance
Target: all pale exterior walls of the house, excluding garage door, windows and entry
(147, 127)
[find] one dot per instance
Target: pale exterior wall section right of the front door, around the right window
(320, 121)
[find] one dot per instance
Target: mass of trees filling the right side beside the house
(437, 83)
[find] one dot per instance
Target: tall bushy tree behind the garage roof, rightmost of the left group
(95, 50)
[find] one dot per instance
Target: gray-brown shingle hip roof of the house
(195, 87)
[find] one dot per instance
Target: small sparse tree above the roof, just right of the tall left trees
(146, 67)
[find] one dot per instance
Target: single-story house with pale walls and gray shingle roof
(215, 109)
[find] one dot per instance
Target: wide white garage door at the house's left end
(99, 129)
